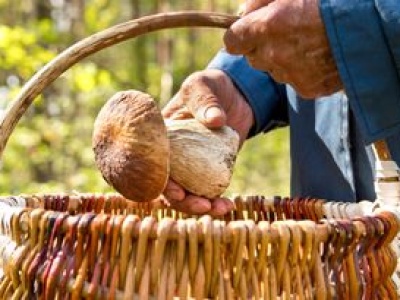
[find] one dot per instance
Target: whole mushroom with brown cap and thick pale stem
(136, 151)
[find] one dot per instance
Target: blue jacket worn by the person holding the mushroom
(331, 156)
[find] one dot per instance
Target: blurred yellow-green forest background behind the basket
(50, 150)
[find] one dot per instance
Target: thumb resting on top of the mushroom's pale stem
(200, 98)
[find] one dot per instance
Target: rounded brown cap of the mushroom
(131, 145)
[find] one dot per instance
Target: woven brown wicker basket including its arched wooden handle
(105, 247)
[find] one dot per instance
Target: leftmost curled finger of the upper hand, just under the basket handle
(241, 37)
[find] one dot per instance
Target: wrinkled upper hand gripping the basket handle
(287, 39)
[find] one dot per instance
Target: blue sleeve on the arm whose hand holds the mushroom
(266, 98)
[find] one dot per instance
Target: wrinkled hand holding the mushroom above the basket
(211, 98)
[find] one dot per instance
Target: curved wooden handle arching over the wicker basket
(104, 39)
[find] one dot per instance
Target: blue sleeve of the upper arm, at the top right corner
(364, 37)
